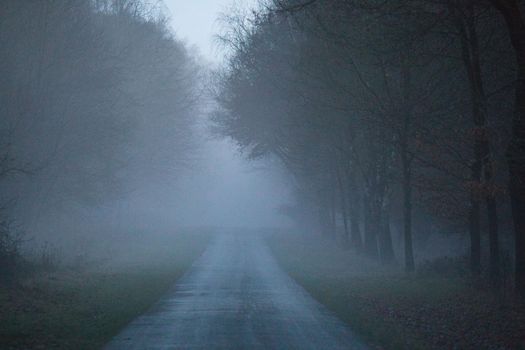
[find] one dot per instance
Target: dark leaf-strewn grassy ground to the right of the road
(392, 310)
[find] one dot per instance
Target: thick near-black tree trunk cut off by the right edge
(510, 9)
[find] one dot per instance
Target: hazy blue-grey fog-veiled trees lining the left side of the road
(96, 98)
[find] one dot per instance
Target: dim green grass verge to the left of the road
(83, 309)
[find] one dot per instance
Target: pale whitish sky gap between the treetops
(196, 22)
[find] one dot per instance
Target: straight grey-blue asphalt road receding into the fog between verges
(235, 296)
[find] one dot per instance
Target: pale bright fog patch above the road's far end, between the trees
(229, 192)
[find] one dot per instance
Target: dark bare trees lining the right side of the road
(387, 113)
